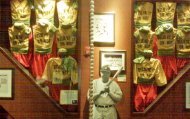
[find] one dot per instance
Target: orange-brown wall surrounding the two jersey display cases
(170, 104)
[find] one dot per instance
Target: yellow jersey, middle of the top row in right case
(165, 12)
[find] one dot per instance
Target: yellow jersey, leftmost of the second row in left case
(19, 39)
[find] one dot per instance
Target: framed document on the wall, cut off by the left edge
(6, 83)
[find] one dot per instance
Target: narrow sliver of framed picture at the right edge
(187, 95)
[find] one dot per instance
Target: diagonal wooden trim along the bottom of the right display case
(168, 87)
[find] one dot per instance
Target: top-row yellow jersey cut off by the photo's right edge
(183, 14)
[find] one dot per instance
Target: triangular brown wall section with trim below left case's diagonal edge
(28, 96)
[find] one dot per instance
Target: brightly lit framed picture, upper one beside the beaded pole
(103, 28)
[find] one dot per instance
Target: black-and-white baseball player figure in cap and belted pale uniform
(106, 93)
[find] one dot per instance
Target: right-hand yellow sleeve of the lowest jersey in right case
(160, 75)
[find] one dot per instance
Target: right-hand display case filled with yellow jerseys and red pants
(158, 28)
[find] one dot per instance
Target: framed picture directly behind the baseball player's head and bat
(115, 60)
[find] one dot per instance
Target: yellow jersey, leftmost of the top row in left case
(20, 11)
